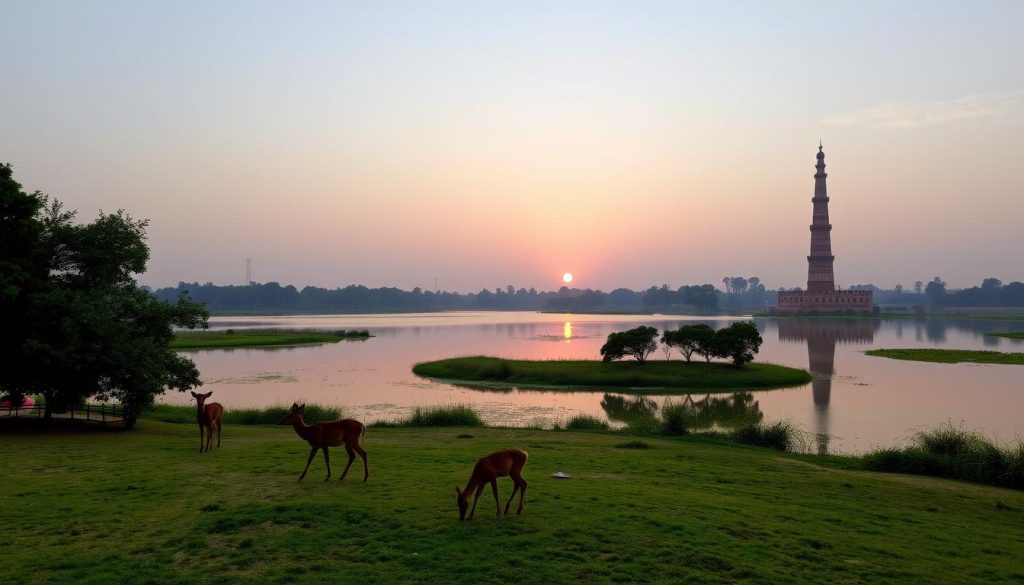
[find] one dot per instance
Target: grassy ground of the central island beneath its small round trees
(570, 374)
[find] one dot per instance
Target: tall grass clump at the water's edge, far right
(953, 452)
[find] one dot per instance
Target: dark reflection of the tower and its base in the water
(822, 338)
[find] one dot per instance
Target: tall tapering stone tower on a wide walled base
(822, 297)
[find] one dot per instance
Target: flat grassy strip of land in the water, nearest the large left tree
(230, 339)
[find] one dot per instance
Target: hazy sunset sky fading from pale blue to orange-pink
(479, 145)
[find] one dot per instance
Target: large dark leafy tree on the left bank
(82, 327)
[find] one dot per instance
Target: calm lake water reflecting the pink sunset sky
(856, 403)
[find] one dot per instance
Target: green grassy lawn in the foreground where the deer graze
(145, 508)
